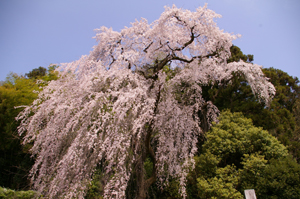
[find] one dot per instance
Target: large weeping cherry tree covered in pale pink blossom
(137, 95)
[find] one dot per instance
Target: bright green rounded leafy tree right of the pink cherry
(232, 158)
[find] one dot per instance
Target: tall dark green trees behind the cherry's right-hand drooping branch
(278, 118)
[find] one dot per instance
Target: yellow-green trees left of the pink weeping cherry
(15, 161)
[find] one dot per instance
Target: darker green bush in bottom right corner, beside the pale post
(279, 178)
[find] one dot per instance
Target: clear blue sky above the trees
(37, 33)
